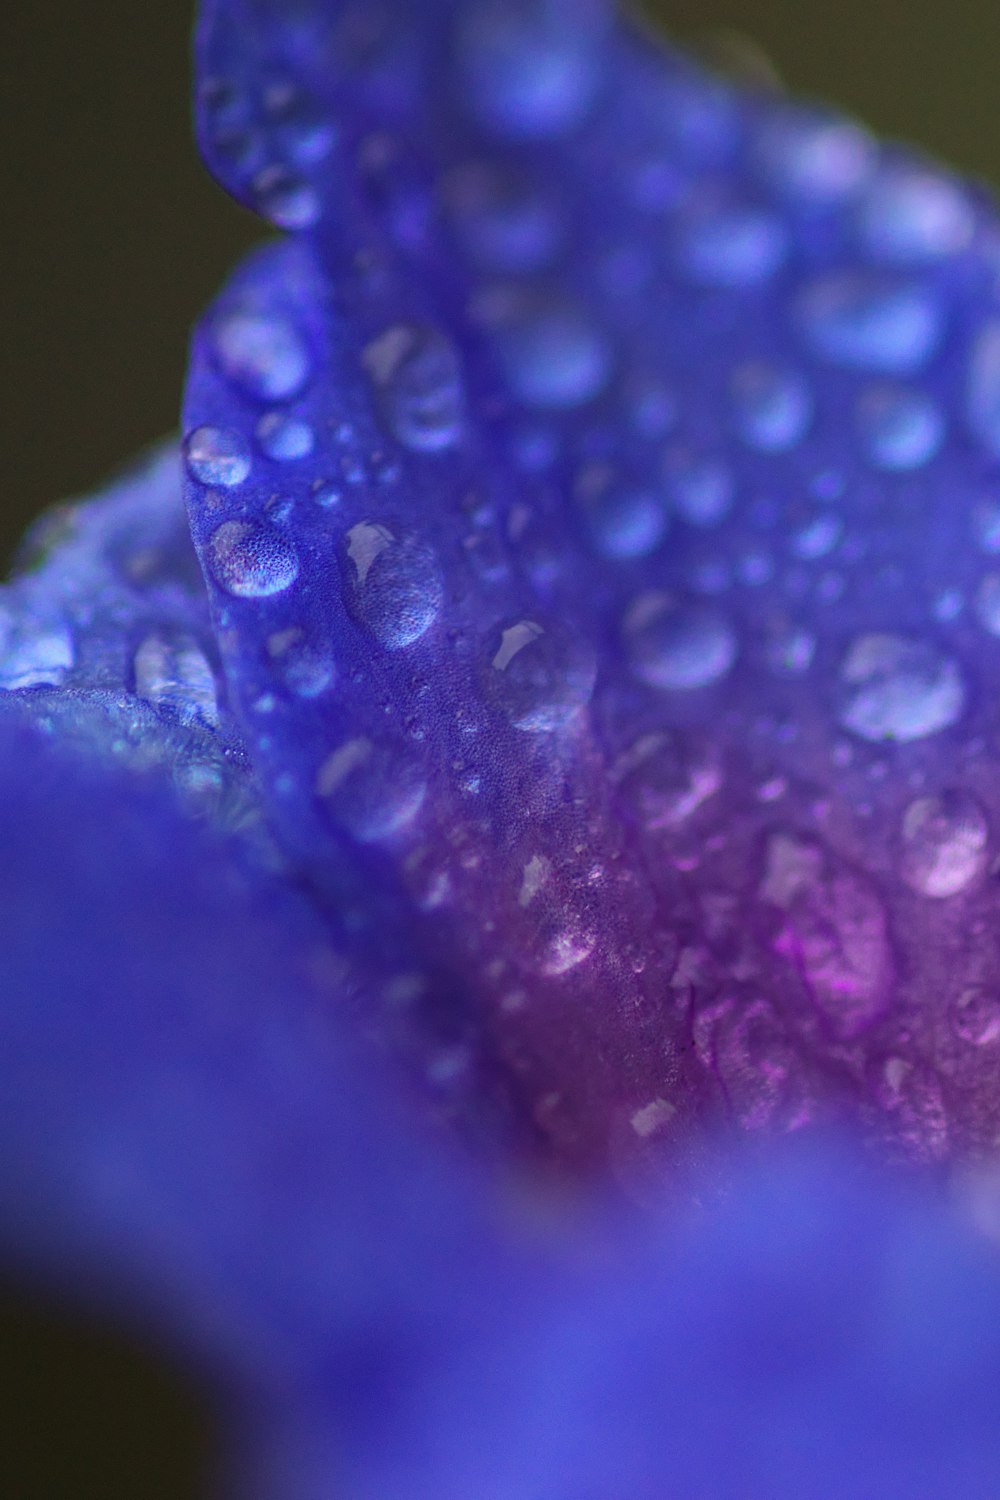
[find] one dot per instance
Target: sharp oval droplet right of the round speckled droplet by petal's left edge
(392, 584)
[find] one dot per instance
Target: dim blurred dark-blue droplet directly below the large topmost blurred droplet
(503, 221)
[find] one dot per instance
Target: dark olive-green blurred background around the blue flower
(113, 239)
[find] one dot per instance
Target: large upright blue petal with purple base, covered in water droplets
(594, 494)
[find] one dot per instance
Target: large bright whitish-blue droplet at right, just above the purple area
(894, 688)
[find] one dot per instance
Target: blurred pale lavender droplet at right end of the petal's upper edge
(915, 215)
